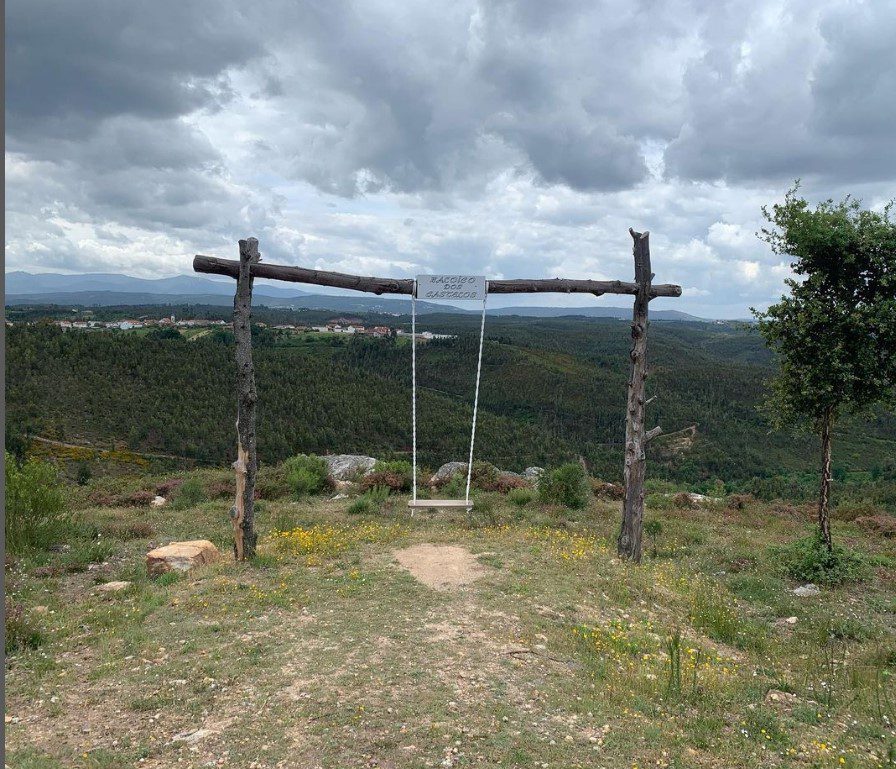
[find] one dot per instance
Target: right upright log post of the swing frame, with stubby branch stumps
(629, 543)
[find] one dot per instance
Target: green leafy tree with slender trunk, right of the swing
(835, 333)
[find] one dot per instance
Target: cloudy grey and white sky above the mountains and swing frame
(511, 139)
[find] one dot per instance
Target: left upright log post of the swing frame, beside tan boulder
(243, 511)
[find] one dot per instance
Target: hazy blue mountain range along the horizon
(108, 289)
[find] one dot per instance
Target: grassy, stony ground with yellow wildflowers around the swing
(324, 653)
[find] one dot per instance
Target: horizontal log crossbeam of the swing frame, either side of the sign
(231, 267)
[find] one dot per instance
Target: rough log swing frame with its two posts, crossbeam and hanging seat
(249, 267)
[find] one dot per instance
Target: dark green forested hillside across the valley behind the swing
(552, 389)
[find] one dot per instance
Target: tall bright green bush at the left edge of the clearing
(36, 512)
